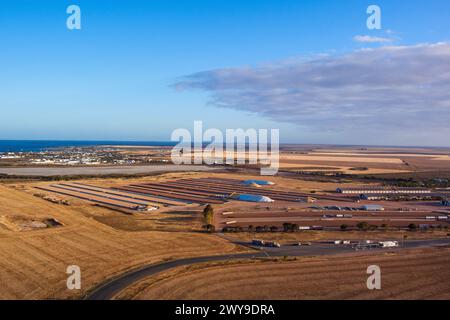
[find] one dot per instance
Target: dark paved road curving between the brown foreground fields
(109, 289)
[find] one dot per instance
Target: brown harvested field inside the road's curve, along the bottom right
(412, 274)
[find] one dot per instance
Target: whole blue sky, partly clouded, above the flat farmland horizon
(139, 69)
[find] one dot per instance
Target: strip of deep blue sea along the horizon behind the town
(42, 145)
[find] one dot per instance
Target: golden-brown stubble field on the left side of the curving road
(33, 262)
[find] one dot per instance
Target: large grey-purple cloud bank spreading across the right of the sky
(390, 88)
